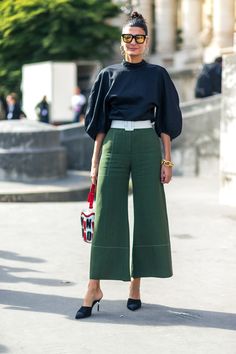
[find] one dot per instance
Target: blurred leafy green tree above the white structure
(39, 30)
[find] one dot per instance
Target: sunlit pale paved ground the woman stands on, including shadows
(43, 277)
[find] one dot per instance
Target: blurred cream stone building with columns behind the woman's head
(187, 31)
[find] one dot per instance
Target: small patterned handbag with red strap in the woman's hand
(88, 216)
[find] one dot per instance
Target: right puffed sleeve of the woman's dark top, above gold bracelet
(168, 115)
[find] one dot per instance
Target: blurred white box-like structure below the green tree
(53, 79)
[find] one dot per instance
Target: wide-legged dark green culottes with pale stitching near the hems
(136, 153)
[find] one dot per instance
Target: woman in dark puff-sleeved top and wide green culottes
(124, 102)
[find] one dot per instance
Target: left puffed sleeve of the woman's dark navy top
(95, 116)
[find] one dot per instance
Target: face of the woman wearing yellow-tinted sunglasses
(133, 48)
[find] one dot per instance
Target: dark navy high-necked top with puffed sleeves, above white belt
(133, 91)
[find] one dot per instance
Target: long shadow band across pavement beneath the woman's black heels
(116, 311)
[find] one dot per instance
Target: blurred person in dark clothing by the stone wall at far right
(209, 80)
